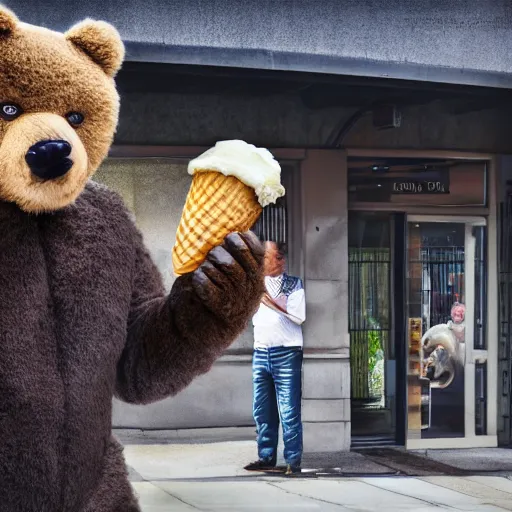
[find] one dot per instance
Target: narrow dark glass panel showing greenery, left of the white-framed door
(372, 351)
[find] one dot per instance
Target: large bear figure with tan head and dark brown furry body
(83, 312)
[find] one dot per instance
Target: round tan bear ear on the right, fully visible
(101, 42)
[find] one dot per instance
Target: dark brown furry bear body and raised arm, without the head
(84, 316)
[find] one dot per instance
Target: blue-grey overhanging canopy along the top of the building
(459, 42)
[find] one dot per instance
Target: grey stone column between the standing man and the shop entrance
(326, 378)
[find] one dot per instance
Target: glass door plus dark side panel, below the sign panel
(413, 284)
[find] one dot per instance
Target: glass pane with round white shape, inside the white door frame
(436, 309)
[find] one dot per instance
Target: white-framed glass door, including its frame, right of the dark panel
(446, 276)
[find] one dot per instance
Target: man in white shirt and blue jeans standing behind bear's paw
(277, 364)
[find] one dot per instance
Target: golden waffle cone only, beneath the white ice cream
(216, 206)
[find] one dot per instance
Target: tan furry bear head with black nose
(58, 109)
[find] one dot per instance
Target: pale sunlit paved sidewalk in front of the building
(209, 477)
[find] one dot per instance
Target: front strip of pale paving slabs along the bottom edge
(382, 494)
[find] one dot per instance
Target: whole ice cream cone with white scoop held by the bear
(231, 184)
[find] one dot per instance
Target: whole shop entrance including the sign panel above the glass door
(418, 303)
